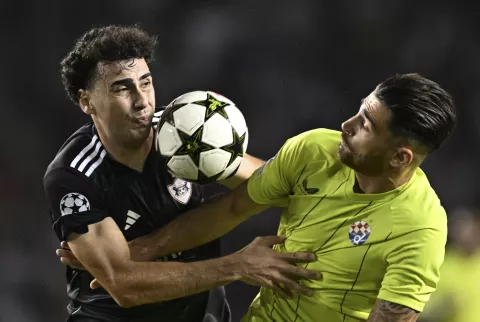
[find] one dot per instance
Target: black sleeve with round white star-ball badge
(74, 202)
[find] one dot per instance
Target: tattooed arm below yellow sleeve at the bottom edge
(385, 311)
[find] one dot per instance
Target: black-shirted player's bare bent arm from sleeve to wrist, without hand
(105, 254)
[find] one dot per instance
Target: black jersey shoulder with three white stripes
(82, 153)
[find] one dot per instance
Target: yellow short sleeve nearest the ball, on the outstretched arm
(274, 181)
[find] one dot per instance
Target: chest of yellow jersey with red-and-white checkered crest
(321, 218)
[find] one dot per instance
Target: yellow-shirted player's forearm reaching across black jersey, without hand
(198, 227)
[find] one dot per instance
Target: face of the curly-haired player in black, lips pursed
(122, 101)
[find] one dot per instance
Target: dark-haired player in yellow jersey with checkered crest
(358, 200)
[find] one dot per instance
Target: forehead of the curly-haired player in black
(129, 68)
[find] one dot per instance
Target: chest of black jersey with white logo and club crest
(142, 202)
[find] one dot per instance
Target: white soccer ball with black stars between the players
(202, 136)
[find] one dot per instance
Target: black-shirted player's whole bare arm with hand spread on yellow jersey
(104, 252)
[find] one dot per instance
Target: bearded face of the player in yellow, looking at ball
(367, 144)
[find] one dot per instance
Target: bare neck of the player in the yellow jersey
(382, 183)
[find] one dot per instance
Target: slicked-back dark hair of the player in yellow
(421, 110)
